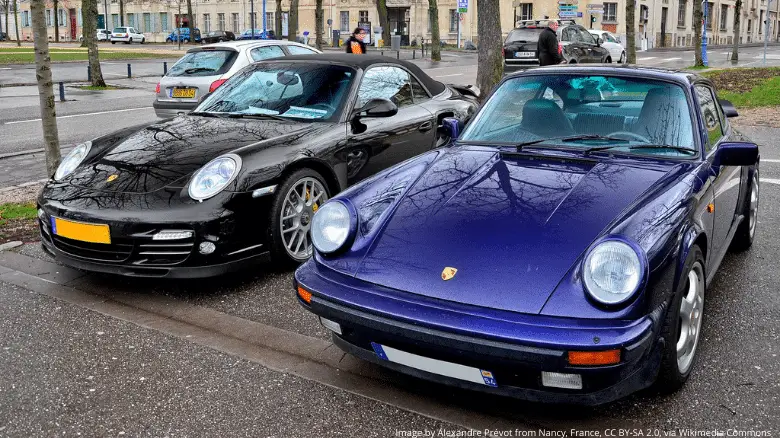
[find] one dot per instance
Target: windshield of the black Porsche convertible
(309, 91)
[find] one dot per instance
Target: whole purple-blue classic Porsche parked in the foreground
(560, 250)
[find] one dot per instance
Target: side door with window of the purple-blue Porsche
(725, 179)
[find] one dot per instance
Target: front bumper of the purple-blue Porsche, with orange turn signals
(515, 348)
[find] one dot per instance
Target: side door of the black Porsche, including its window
(377, 143)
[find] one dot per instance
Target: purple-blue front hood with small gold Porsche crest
(512, 226)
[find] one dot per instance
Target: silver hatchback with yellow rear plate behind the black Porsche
(203, 69)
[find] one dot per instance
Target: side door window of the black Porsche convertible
(386, 83)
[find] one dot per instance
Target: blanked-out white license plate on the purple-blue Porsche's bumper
(435, 366)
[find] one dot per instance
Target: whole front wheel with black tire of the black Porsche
(279, 243)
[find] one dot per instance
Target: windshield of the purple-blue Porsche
(555, 108)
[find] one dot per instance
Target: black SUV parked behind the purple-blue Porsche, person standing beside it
(575, 43)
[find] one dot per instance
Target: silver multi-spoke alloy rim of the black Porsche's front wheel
(300, 204)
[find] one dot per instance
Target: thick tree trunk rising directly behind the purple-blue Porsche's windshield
(490, 65)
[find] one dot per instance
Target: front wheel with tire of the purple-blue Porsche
(674, 372)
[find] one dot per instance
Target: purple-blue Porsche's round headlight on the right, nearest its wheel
(612, 272)
